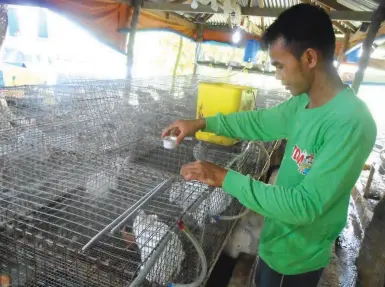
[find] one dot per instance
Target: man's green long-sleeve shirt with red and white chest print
(325, 152)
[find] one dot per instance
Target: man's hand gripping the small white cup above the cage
(184, 128)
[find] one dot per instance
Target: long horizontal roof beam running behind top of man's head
(262, 12)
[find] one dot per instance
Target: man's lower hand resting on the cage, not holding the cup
(204, 172)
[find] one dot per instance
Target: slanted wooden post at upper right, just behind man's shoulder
(377, 18)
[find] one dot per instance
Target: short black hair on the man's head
(303, 26)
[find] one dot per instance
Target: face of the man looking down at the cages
(296, 75)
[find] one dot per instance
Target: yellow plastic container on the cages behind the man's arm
(214, 98)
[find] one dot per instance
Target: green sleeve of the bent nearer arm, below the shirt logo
(335, 170)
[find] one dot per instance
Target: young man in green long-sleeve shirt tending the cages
(330, 134)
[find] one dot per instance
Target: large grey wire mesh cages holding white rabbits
(89, 196)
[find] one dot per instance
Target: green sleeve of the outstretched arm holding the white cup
(261, 125)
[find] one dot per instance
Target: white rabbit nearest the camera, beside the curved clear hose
(149, 232)
